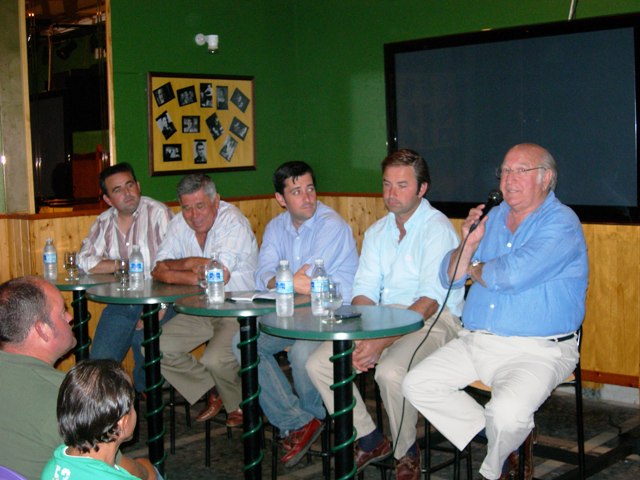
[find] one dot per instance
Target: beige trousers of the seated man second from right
(390, 371)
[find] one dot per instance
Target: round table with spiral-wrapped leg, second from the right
(246, 312)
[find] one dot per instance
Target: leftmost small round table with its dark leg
(81, 315)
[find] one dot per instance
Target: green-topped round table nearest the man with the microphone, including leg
(375, 322)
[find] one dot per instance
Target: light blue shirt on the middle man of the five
(325, 235)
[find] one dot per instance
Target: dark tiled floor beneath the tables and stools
(604, 422)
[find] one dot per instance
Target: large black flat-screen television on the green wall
(463, 100)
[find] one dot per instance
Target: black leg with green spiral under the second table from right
(252, 426)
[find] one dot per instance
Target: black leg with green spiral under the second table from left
(154, 381)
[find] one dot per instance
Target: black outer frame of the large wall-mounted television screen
(454, 209)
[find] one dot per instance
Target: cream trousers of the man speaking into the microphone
(522, 371)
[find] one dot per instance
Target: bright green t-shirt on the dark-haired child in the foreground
(68, 467)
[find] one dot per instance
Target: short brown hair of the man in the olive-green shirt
(23, 302)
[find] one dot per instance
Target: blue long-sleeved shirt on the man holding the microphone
(536, 277)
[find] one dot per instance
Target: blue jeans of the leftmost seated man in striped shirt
(116, 332)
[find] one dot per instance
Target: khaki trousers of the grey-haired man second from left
(217, 366)
